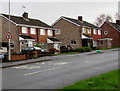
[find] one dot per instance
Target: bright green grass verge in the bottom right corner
(108, 81)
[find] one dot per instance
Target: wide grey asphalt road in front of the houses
(59, 72)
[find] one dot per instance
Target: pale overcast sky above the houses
(49, 11)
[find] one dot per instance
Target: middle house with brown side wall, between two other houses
(76, 32)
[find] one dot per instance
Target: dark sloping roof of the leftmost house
(32, 22)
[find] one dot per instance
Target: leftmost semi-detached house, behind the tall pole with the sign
(26, 32)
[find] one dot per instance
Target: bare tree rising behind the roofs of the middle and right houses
(102, 18)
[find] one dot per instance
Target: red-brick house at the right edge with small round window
(111, 32)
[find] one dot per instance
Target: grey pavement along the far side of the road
(48, 58)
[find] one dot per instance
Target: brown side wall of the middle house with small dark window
(69, 32)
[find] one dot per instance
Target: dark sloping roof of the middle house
(82, 23)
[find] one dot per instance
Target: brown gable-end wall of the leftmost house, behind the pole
(14, 30)
